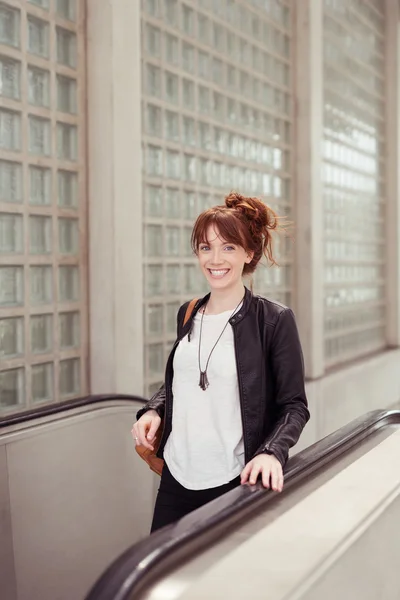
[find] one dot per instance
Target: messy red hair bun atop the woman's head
(259, 216)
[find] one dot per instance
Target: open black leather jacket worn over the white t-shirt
(270, 375)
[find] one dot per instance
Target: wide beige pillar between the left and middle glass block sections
(115, 197)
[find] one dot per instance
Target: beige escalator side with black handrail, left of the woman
(73, 495)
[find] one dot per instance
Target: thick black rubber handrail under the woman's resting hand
(144, 562)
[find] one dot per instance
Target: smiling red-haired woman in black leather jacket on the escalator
(233, 402)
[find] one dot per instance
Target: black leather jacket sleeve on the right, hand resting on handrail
(290, 396)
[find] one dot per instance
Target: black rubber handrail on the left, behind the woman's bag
(53, 409)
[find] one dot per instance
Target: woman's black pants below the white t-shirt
(175, 501)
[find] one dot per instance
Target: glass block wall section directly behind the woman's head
(217, 116)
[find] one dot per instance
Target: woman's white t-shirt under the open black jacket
(205, 448)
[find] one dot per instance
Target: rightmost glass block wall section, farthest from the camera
(354, 185)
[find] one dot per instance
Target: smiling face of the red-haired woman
(221, 262)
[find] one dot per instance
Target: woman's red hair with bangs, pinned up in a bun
(246, 222)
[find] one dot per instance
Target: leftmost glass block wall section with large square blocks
(42, 280)
